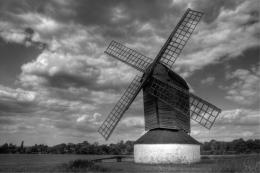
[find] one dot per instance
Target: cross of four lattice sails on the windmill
(189, 105)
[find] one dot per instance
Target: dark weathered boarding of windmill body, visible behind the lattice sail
(159, 114)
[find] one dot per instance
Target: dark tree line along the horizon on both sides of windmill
(238, 146)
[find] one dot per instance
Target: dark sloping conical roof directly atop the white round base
(166, 136)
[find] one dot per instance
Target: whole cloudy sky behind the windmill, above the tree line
(57, 85)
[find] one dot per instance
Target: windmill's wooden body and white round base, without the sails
(167, 140)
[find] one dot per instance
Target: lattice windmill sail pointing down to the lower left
(122, 105)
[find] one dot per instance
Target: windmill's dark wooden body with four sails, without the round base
(174, 101)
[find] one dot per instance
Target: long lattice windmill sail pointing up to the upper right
(179, 37)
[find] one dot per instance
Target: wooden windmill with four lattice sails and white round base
(168, 104)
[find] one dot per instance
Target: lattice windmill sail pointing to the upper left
(128, 56)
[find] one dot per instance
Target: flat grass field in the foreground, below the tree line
(64, 163)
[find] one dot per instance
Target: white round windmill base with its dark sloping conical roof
(163, 146)
